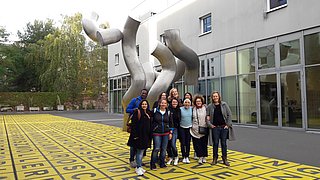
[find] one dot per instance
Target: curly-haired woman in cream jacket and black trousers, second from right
(200, 141)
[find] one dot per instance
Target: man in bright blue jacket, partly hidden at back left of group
(134, 104)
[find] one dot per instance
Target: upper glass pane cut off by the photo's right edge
(312, 48)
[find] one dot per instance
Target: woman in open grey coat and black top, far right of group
(219, 120)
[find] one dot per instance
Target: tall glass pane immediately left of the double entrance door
(247, 99)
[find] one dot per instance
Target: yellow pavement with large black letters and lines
(51, 147)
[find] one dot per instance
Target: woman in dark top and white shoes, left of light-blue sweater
(172, 146)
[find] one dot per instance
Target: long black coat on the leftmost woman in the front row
(140, 136)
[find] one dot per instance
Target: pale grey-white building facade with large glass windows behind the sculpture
(263, 56)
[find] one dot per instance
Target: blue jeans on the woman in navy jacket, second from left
(159, 145)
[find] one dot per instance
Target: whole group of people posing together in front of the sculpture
(172, 118)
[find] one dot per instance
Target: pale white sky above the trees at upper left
(15, 14)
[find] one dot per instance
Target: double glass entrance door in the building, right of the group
(280, 99)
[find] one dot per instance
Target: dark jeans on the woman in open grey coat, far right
(220, 134)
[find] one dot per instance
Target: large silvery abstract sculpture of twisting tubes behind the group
(172, 69)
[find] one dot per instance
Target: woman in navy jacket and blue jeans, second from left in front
(161, 133)
